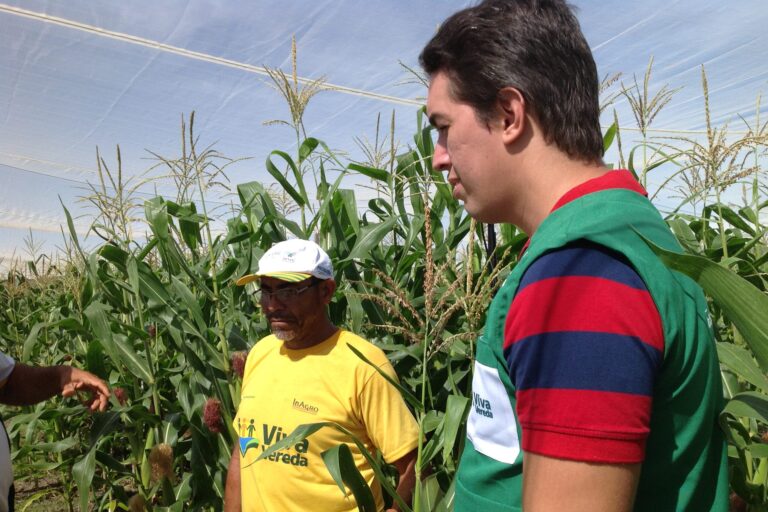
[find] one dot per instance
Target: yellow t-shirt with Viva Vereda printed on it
(284, 388)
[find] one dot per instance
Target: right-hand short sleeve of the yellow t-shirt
(389, 423)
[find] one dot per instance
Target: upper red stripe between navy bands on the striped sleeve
(583, 303)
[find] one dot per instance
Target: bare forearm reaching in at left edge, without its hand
(29, 385)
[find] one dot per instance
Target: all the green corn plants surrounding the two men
(160, 318)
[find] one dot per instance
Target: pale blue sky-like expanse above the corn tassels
(71, 80)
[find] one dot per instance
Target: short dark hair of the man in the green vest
(535, 46)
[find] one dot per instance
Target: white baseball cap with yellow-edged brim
(293, 261)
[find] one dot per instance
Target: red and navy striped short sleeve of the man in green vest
(584, 343)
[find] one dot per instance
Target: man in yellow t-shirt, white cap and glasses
(304, 372)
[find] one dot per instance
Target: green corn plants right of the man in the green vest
(727, 254)
